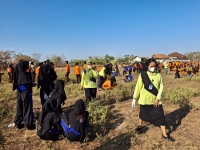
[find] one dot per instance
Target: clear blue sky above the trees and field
(82, 28)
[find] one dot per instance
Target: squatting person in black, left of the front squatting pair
(48, 126)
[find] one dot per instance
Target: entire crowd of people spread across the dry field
(53, 121)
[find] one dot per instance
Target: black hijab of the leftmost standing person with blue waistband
(20, 76)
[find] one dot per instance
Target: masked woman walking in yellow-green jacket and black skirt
(149, 89)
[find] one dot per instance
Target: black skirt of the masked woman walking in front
(153, 115)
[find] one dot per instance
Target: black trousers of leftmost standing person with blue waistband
(24, 109)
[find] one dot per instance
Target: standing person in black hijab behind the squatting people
(45, 80)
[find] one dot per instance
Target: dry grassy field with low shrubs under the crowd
(112, 119)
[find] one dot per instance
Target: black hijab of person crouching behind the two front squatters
(58, 90)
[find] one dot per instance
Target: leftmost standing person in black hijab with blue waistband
(23, 84)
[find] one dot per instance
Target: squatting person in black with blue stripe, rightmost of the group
(76, 124)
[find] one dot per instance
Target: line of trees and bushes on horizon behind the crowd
(9, 56)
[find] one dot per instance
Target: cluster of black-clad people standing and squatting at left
(52, 122)
